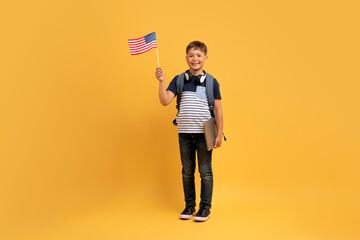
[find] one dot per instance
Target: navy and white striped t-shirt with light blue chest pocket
(194, 108)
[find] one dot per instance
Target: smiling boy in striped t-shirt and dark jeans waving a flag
(193, 112)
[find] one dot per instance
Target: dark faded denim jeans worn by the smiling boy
(190, 143)
